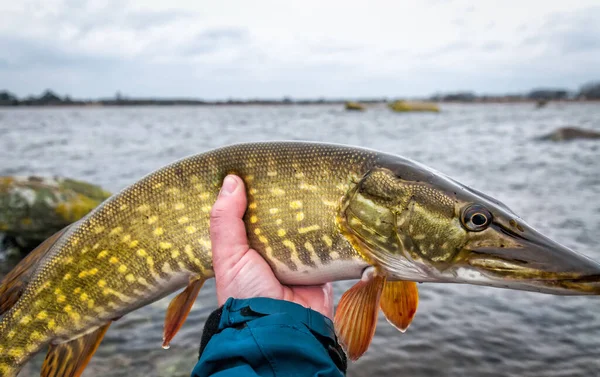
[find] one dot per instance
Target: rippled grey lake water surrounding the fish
(459, 330)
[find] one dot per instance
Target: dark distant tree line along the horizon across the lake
(589, 91)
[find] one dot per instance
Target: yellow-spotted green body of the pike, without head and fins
(153, 237)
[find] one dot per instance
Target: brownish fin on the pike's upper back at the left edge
(14, 283)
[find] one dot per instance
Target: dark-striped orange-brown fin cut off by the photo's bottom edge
(70, 359)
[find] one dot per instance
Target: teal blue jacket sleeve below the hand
(266, 337)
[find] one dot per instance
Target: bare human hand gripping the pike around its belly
(241, 272)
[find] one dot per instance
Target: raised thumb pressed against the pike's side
(227, 229)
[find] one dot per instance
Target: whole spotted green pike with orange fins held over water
(316, 212)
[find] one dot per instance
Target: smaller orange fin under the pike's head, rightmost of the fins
(399, 301)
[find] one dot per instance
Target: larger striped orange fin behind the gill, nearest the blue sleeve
(356, 315)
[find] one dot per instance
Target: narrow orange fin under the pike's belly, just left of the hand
(178, 310)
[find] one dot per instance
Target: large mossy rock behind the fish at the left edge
(33, 208)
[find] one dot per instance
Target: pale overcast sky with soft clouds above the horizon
(221, 49)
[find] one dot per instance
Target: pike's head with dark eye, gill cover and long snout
(417, 224)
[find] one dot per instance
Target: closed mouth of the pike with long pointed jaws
(531, 262)
